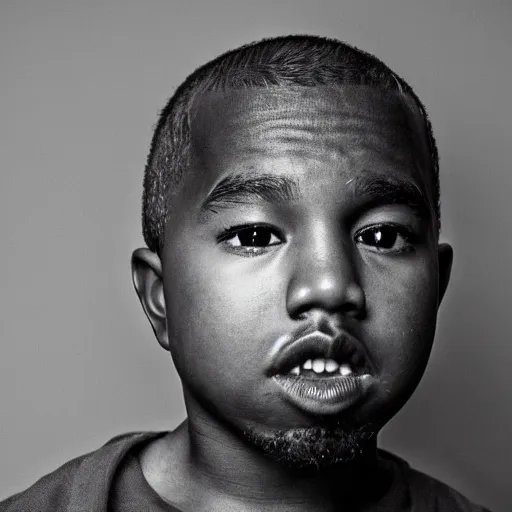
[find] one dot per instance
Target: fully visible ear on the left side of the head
(147, 279)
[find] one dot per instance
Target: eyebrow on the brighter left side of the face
(245, 188)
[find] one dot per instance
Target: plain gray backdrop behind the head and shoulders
(81, 85)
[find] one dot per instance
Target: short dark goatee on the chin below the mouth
(315, 448)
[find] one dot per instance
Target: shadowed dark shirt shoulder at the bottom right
(431, 495)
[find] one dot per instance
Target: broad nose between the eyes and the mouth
(325, 278)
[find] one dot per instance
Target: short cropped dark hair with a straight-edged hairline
(307, 61)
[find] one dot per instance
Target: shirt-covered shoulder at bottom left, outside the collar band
(85, 478)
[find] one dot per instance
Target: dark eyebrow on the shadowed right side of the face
(385, 190)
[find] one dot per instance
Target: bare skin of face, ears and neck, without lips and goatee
(221, 307)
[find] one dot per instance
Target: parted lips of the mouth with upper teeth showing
(321, 392)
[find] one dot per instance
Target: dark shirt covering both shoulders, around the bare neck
(111, 480)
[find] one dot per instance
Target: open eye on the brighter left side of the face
(250, 240)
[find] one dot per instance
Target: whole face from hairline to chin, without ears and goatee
(301, 263)
